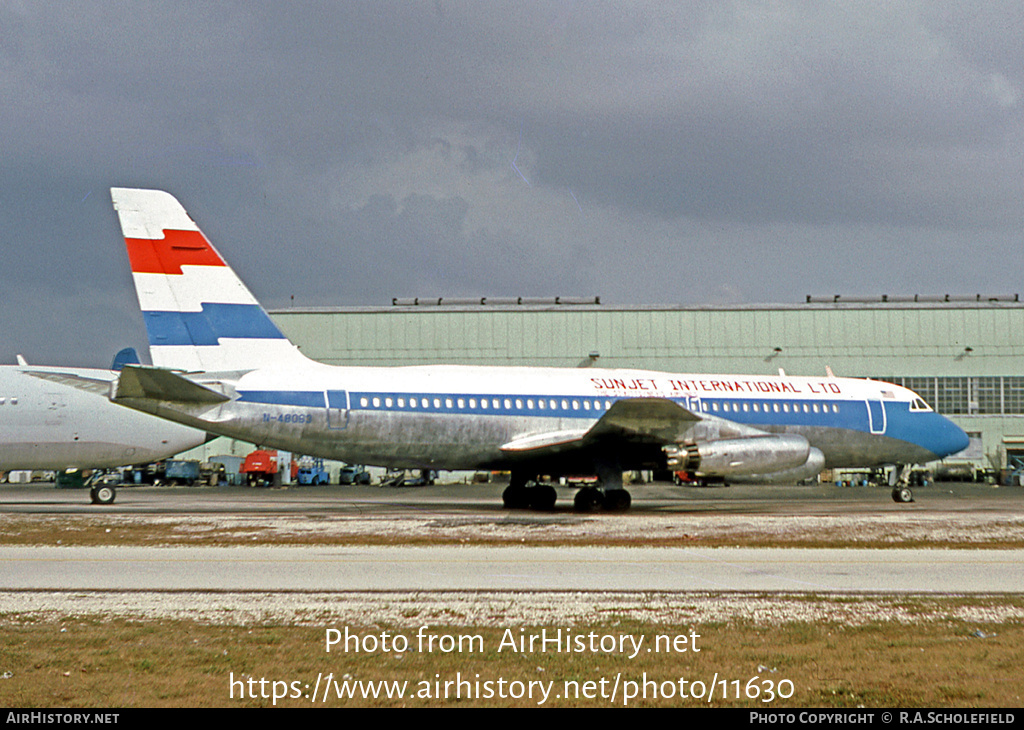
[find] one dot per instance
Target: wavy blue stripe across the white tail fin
(207, 327)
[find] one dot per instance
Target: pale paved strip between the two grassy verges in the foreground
(489, 569)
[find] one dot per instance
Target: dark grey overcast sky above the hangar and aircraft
(345, 154)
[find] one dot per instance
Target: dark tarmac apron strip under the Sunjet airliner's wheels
(486, 500)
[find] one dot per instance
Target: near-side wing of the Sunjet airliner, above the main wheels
(657, 421)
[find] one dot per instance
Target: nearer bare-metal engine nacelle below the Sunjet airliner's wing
(741, 457)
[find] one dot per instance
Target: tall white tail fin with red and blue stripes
(199, 315)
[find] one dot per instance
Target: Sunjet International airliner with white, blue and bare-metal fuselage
(223, 366)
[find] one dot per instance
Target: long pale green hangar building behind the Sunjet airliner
(964, 356)
